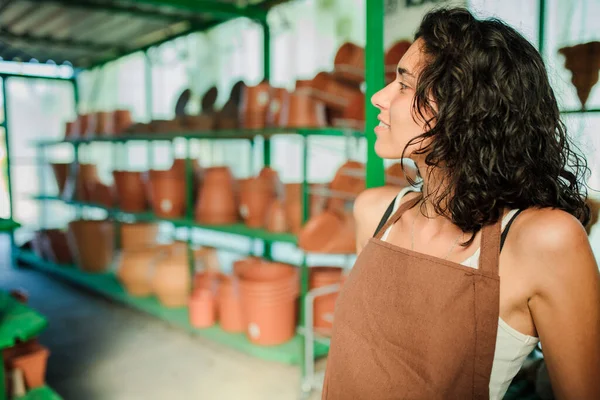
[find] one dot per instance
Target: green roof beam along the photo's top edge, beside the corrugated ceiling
(212, 8)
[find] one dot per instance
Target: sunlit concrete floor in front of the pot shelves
(103, 351)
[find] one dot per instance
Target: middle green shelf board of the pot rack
(236, 229)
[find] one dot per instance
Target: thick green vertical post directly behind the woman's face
(374, 74)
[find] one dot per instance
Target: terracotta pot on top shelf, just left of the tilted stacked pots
(302, 111)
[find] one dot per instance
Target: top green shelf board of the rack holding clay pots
(247, 134)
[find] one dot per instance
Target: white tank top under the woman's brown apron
(512, 346)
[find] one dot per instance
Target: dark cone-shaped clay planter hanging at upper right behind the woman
(583, 60)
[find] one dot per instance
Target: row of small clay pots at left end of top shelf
(102, 123)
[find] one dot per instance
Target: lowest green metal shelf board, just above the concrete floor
(107, 285)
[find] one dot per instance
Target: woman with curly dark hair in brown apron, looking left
(466, 273)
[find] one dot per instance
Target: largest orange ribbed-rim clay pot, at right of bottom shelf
(269, 292)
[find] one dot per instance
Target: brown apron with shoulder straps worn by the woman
(413, 326)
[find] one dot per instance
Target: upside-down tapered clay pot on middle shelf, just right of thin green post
(217, 200)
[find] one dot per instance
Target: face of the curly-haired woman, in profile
(397, 126)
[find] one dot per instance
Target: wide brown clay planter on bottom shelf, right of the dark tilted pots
(92, 244)
